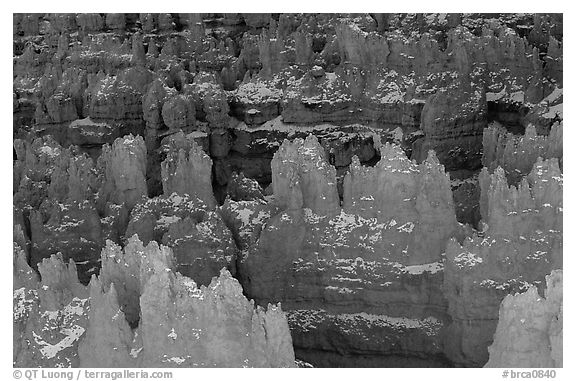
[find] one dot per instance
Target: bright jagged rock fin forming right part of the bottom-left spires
(223, 316)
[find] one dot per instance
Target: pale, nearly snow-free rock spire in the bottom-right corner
(529, 331)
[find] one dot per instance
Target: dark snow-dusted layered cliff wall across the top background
(323, 68)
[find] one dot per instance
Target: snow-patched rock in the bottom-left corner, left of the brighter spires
(50, 316)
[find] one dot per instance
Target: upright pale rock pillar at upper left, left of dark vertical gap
(123, 171)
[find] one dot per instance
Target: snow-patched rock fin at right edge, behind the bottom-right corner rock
(521, 242)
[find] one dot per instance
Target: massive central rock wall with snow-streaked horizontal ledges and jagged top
(362, 273)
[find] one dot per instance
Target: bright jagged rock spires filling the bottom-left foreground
(60, 323)
